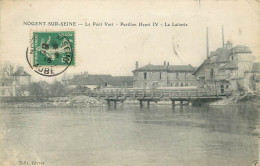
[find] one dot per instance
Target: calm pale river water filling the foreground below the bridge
(129, 136)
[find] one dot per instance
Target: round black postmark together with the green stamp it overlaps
(51, 52)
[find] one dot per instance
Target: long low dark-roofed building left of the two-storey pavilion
(93, 81)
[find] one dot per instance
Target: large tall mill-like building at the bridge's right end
(225, 69)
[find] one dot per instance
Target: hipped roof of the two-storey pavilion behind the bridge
(172, 68)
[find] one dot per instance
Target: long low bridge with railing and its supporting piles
(116, 95)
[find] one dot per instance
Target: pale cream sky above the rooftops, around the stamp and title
(114, 50)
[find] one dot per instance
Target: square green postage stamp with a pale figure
(53, 48)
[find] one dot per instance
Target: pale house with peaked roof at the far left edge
(16, 84)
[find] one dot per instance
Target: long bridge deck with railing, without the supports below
(152, 94)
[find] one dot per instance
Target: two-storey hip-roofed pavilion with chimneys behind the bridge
(166, 75)
